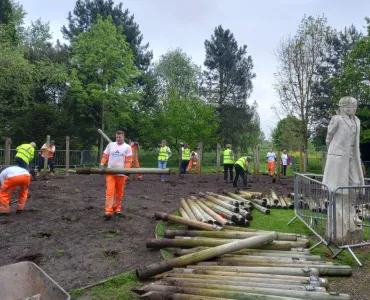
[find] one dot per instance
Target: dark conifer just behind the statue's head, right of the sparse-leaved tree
(339, 43)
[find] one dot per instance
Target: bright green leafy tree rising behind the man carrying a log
(104, 68)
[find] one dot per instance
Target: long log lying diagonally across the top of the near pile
(164, 266)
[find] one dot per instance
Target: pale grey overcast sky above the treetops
(168, 24)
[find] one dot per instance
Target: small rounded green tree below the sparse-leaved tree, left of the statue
(287, 134)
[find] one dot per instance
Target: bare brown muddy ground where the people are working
(62, 229)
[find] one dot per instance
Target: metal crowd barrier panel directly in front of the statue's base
(351, 218)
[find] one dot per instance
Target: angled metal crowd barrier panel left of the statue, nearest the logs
(313, 206)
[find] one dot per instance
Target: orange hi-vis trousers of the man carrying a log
(114, 193)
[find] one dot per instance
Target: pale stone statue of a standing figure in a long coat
(343, 168)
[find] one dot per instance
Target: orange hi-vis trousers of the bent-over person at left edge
(9, 185)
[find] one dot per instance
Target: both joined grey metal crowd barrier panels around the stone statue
(340, 218)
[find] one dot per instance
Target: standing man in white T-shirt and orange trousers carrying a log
(118, 155)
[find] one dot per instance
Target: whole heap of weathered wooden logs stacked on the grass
(217, 259)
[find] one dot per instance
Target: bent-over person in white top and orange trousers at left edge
(11, 178)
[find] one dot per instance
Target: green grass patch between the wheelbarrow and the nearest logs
(117, 287)
